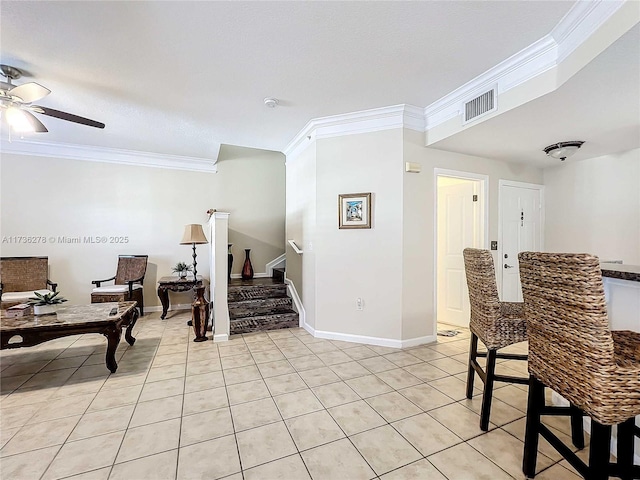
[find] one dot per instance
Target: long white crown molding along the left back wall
(110, 155)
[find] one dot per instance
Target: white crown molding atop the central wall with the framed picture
(373, 120)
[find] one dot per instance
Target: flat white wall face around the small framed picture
(360, 263)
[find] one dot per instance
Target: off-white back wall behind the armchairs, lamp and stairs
(53, 197)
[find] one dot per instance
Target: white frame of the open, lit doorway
(483, 181)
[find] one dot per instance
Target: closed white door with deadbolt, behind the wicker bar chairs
(521, 227)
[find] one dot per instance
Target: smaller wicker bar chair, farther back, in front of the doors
(497, 324)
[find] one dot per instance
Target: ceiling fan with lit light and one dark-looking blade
(16, 104)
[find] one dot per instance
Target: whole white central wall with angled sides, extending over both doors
(390, 266)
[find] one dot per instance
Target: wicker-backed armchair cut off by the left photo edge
(20, 277)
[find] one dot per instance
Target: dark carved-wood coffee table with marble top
(107, 319)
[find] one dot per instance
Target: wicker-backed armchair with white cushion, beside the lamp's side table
(128, 282)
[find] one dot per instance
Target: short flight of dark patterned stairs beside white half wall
(259, 304)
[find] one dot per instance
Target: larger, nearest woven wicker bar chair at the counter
(573, 351)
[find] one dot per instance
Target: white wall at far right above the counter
(593, 206)
